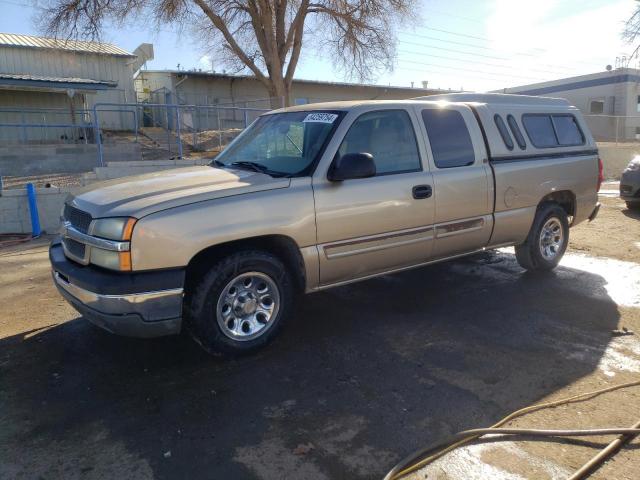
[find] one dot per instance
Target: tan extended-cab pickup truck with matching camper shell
(315, 196)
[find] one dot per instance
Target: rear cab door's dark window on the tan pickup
(449, 138)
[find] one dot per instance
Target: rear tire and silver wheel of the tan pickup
(547, 240)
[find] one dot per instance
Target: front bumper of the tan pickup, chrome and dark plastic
(125, 304)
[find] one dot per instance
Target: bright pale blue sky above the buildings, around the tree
(454, 44)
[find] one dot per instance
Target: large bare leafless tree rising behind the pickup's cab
(262, 36)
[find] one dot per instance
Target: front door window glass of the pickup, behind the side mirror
(388, 136)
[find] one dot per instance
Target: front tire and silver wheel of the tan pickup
(240, 304)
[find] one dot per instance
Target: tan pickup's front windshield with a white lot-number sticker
(281, 144)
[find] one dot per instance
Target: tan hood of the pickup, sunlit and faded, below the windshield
(141, 195)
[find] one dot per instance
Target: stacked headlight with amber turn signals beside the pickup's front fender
(118, 229)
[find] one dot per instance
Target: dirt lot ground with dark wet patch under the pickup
(364, 375)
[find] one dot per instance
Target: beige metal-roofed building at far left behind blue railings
(57, 81)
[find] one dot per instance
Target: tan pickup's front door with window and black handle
(371, 225)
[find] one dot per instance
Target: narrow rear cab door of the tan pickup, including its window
(462, 179)
